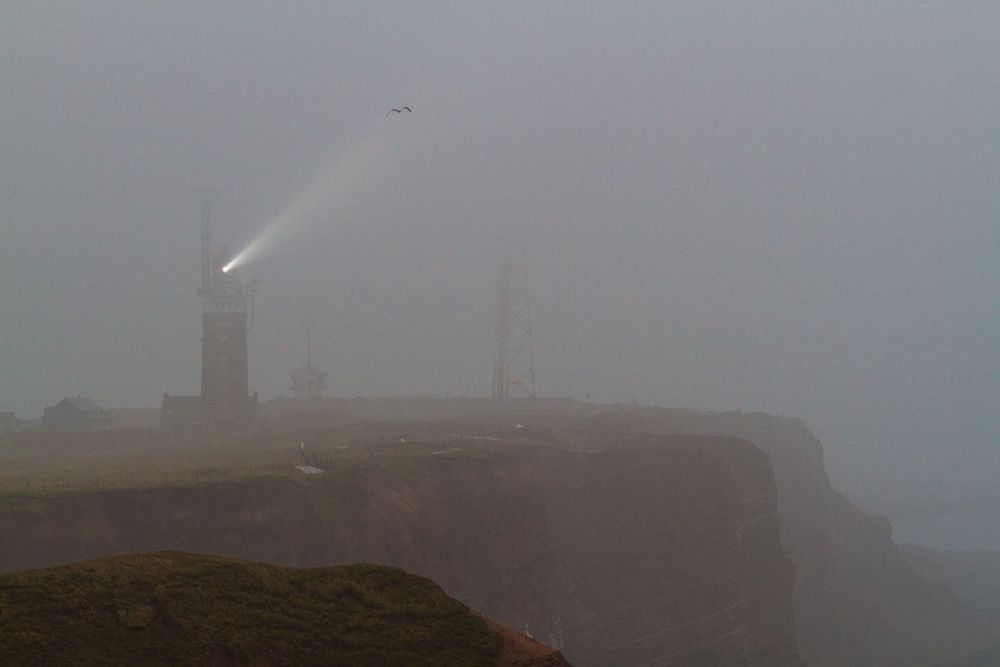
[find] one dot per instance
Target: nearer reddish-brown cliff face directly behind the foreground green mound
(665, 552)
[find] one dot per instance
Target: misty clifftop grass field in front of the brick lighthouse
(39, 462)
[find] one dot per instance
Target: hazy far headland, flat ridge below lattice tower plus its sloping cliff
(857, 601)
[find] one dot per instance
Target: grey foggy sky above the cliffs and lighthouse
(787, 207)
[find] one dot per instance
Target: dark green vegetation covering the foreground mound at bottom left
(181, 609)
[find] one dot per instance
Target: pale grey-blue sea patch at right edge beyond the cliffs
(963, 530)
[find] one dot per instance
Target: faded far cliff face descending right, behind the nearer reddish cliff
(857, 600)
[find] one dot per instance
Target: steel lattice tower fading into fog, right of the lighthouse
(514, 367)
